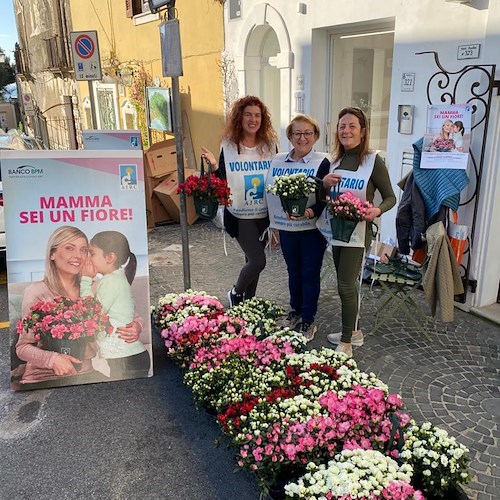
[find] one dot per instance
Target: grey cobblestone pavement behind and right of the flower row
(451, 380)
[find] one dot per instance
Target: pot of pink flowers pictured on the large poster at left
(65, 326)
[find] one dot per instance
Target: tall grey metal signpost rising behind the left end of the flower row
(177, 126)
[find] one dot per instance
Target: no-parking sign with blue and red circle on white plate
(86, 60)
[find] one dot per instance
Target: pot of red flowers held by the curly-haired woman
(208, 192)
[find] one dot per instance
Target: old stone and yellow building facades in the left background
(131, 60)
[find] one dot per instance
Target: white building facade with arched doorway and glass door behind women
(391, 58)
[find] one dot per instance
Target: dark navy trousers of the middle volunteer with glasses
(303, 252)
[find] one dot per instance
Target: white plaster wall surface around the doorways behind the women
(424, 25)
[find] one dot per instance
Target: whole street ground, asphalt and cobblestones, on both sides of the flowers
(143, 439)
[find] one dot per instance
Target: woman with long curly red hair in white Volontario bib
(247, 148)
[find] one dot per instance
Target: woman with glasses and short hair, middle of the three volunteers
(302, 244)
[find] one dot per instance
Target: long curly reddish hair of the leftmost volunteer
(233, 131)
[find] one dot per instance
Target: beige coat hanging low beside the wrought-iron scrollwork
(442, 279)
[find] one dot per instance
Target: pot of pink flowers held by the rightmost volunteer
(346, 210)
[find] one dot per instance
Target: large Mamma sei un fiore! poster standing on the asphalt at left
(77, 261)
